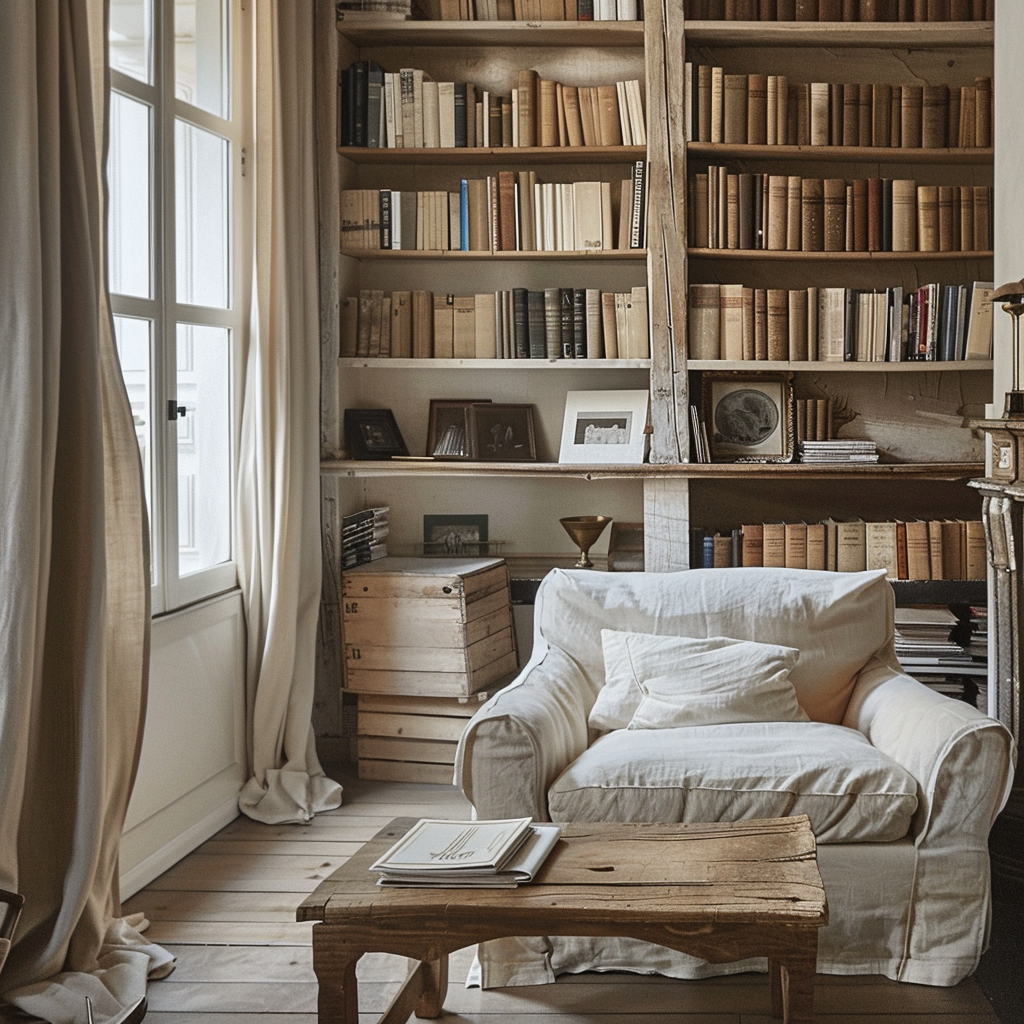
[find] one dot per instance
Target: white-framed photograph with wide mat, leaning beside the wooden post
(606, 428)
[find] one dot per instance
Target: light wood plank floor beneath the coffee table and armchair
(228, 914)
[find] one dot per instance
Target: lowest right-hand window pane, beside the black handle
(204, 447)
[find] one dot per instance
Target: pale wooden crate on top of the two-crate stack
(440, 627)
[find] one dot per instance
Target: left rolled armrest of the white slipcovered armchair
(524, 738)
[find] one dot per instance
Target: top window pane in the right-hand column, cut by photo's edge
(201, 64)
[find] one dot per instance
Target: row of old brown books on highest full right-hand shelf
(769, 110)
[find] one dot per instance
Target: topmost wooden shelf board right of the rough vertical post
(884, 35)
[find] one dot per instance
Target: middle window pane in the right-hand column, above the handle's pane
(202, 199)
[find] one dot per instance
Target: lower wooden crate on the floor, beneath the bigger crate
(411, 740)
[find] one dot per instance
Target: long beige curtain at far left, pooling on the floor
(74, 605)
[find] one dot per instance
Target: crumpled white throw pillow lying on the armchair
(665, 682)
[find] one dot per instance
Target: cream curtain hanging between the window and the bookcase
(279, 481)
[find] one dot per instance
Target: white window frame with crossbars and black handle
(172, 590)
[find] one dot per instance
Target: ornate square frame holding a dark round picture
(749, 417)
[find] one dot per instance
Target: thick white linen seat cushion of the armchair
(850, 791)
